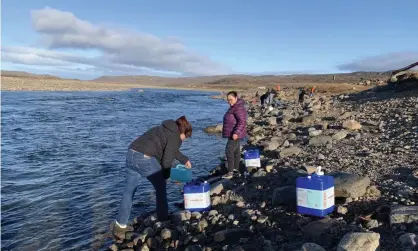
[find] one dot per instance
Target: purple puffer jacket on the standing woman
(235, 121)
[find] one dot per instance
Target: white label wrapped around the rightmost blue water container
(315, 199)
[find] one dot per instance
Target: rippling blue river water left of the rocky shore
(63, 154)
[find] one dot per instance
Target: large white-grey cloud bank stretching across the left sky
(121, 51)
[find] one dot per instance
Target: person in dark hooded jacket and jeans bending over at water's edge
(151, 156)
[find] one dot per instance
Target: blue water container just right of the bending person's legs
(197, 196)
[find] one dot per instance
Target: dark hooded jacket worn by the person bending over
(162, 142)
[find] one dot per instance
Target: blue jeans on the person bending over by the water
(139, 165)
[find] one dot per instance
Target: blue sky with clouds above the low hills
(87, 39)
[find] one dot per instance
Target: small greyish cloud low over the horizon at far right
(384, 62)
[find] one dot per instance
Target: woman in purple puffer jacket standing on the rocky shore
(234, 129)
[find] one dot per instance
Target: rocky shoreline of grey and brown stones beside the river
(368, 141)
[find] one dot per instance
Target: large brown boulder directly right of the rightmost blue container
(349, 185)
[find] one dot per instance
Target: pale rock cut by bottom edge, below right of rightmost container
(359, 241)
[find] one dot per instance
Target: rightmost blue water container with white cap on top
(315, 194)
